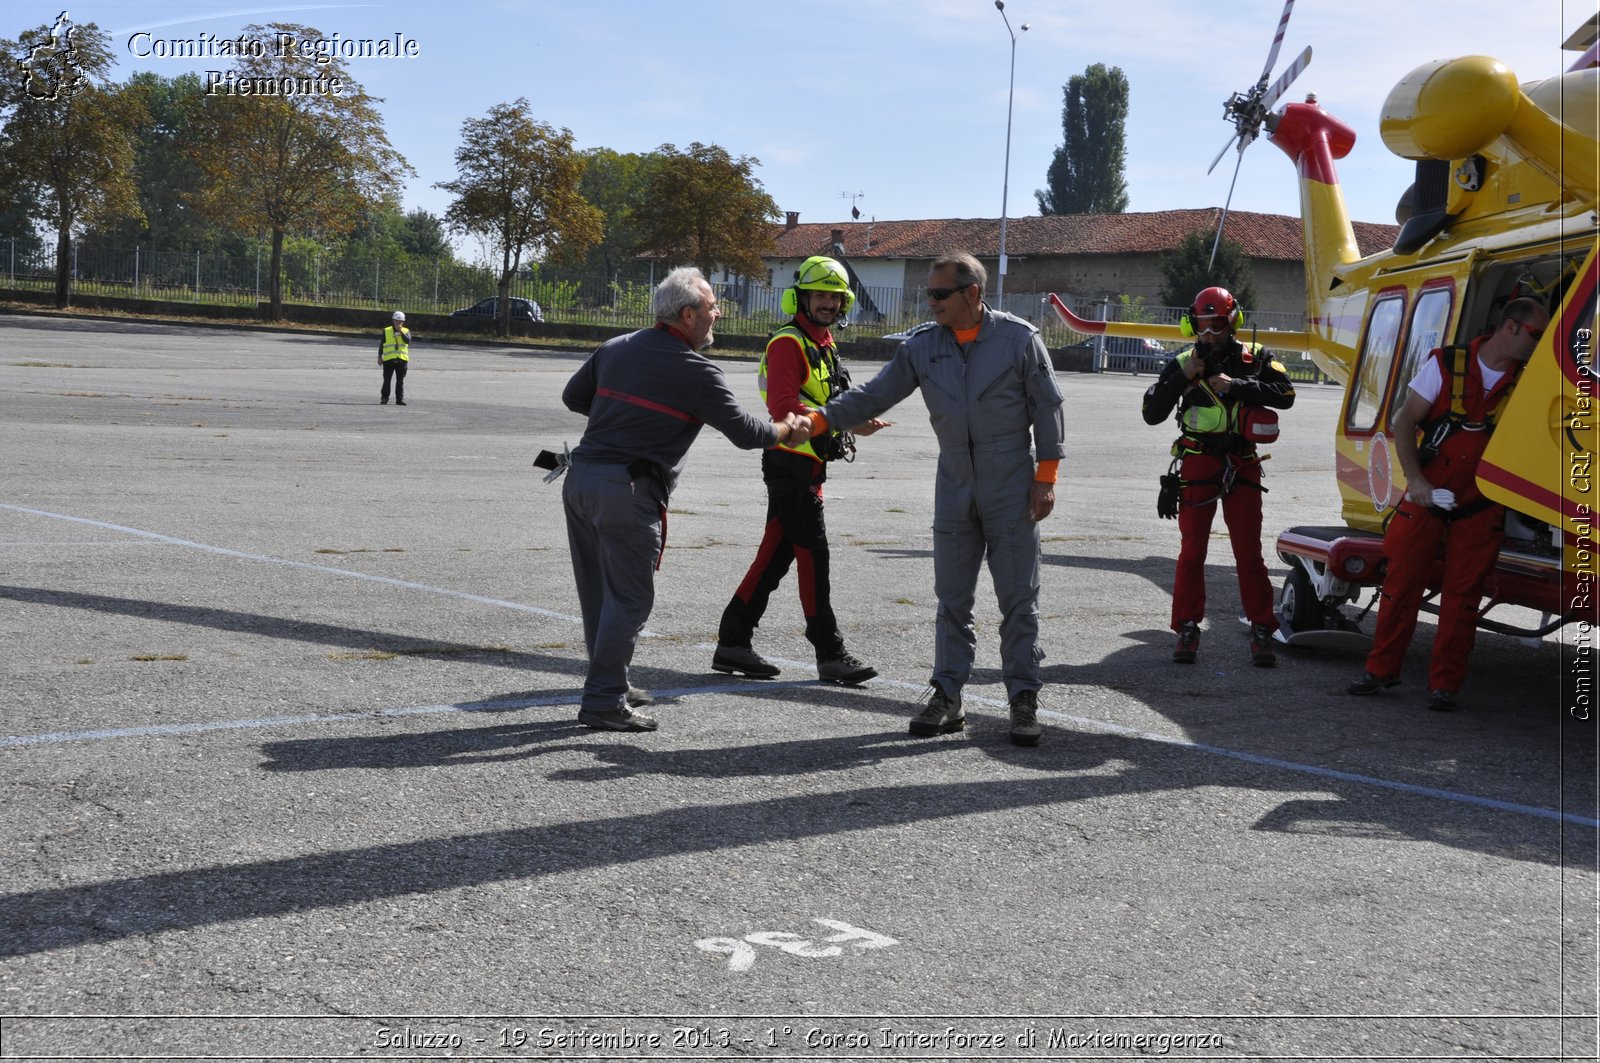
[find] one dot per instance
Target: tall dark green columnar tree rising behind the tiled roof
(1087, 174)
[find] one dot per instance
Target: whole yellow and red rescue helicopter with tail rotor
(1506, 204)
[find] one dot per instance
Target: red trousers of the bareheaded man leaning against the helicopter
(1410, 545)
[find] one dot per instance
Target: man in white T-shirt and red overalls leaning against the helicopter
(1452, 403)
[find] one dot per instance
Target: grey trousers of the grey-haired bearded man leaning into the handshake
(614, 531)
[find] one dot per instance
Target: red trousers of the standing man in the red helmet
(1242, 515)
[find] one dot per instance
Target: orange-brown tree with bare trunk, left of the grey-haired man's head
(518, 188)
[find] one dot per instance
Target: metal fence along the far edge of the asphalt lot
(442, 287)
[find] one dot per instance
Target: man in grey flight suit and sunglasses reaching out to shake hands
(994, 403)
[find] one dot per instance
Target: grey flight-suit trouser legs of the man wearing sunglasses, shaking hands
(961, 544)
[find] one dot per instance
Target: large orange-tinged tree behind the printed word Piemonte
(311, 162)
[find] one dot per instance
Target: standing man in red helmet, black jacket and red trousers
(1214, 387)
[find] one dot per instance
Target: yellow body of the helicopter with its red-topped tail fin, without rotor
(1513, 214)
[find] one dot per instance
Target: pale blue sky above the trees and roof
(900, 102)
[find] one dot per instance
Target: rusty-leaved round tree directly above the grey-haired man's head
(706, 209)
